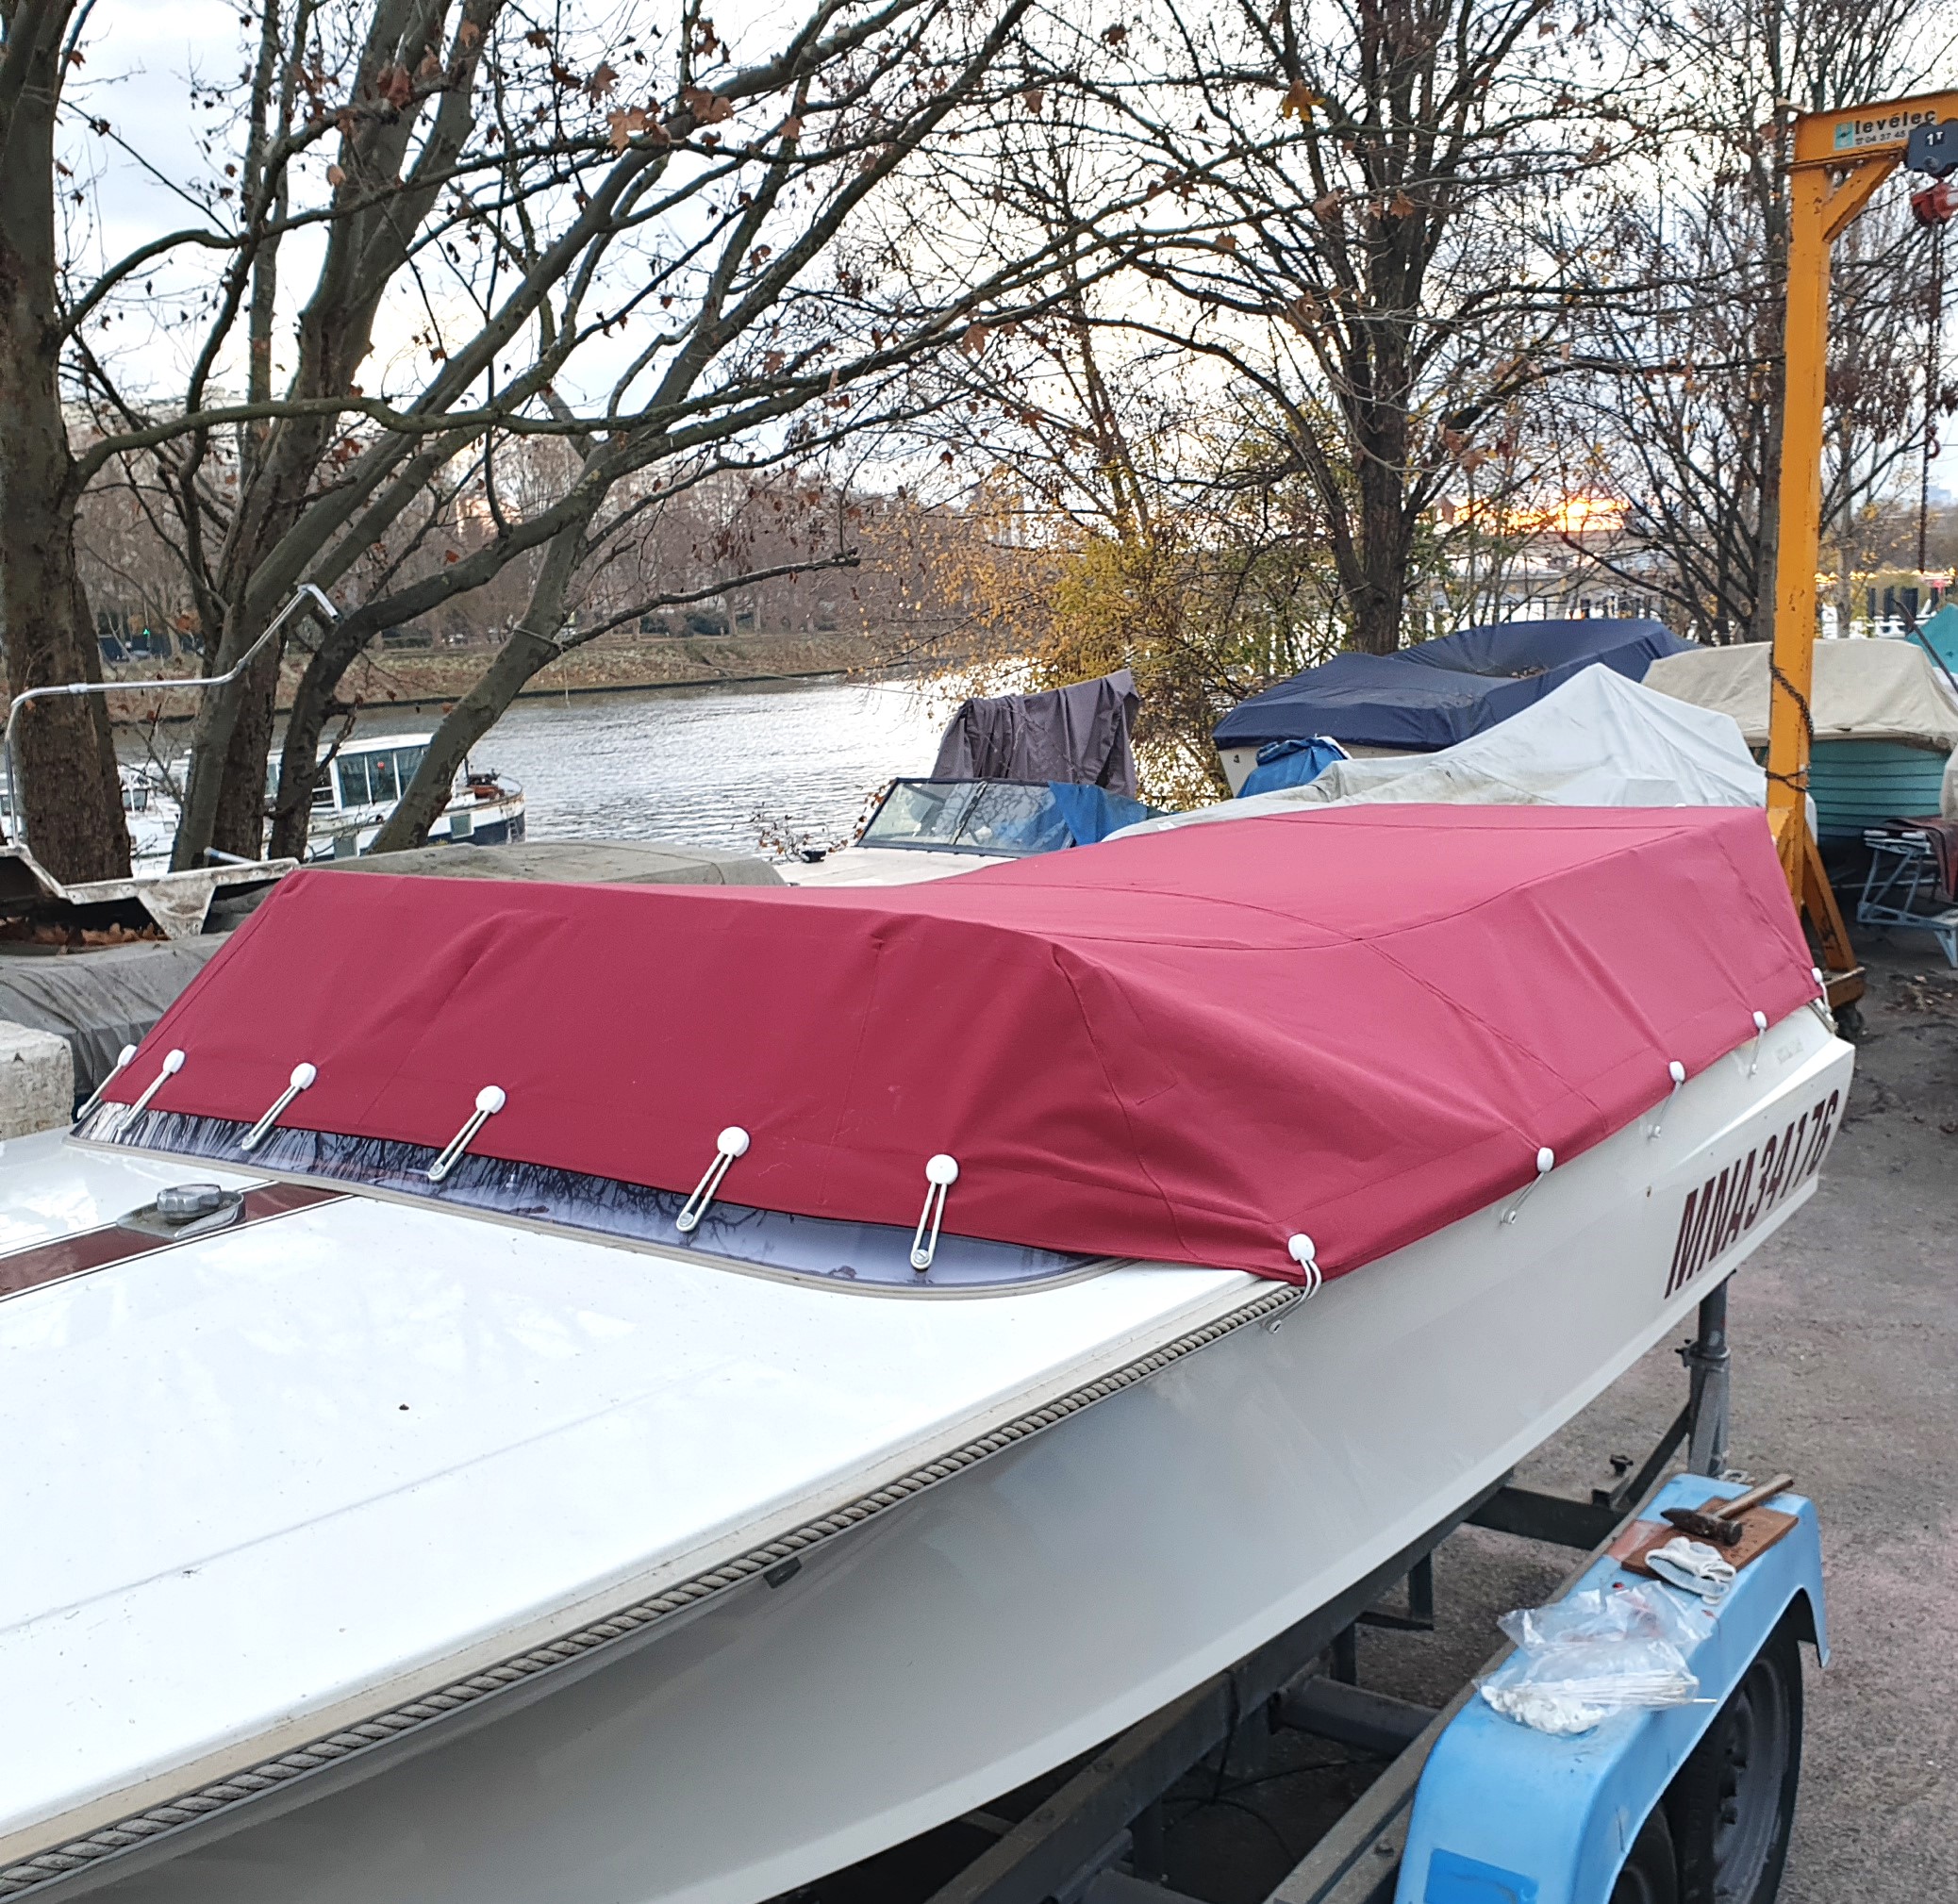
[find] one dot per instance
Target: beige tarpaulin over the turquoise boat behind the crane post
(1865, 690)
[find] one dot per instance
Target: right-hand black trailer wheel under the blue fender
(1734, 1801)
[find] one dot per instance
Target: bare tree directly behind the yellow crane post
(1683, 410)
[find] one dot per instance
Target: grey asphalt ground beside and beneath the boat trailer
(1845, 1373)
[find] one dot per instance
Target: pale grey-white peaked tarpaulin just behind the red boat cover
(1599, 741)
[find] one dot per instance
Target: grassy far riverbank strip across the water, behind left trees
(616, 664)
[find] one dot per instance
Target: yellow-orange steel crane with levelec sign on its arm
(1840, 161)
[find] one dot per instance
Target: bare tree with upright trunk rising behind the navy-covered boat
(1366, 218)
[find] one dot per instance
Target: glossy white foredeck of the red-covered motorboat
(293, 1429)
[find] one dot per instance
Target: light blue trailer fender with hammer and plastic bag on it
(1507, 1815)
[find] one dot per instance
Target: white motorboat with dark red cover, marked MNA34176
(485, 1539)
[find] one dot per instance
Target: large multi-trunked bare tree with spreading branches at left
(657, 251)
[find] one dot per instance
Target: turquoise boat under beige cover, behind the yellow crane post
(1887, 723)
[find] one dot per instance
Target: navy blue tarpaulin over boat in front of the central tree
(1442, 692)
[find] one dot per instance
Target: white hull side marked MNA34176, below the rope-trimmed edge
(1054, 1594)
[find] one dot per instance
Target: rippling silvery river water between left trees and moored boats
(714, 768)
